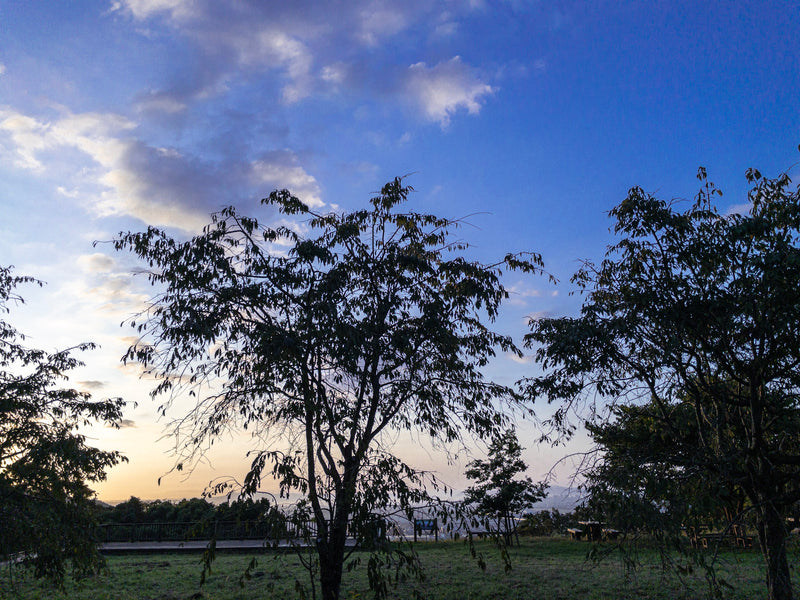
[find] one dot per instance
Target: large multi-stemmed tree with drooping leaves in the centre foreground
(324, 337)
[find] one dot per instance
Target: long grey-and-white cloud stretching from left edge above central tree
(118, 174)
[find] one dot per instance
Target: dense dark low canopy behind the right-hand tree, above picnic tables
(649, 480)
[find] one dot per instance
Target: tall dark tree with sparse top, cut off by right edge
(701, 310)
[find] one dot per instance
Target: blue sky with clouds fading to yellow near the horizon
(529, 118)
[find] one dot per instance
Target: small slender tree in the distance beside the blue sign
(499, 494)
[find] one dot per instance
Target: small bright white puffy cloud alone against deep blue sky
(444, 89)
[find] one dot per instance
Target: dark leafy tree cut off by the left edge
(46, 506)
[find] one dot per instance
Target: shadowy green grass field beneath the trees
(543, 568)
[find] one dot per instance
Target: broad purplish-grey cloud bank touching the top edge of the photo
(310, 48)
